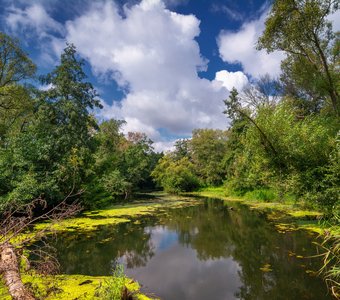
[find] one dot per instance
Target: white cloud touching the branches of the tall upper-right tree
(239, 47)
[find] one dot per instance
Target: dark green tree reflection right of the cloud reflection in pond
(217, 232)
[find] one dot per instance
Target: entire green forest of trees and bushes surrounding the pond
(282, 143)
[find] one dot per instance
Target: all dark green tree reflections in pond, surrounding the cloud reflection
(215, 232)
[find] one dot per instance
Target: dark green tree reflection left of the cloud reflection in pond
(95, 253)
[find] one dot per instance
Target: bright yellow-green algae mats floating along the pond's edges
(285, 217)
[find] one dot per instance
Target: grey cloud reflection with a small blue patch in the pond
(176, 273)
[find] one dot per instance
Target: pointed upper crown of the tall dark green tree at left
(69, 100)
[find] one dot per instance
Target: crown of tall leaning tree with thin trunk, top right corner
(301, 30)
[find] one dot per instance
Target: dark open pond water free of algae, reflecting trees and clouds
(206, 251)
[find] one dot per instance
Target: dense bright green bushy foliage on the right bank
(304, 159)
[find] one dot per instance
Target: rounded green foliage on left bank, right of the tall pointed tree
(122, 165)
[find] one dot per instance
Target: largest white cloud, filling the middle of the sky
(153, 52)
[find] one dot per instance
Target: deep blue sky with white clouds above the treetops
(163, 66)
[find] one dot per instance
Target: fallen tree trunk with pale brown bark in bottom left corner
(9, 269)
